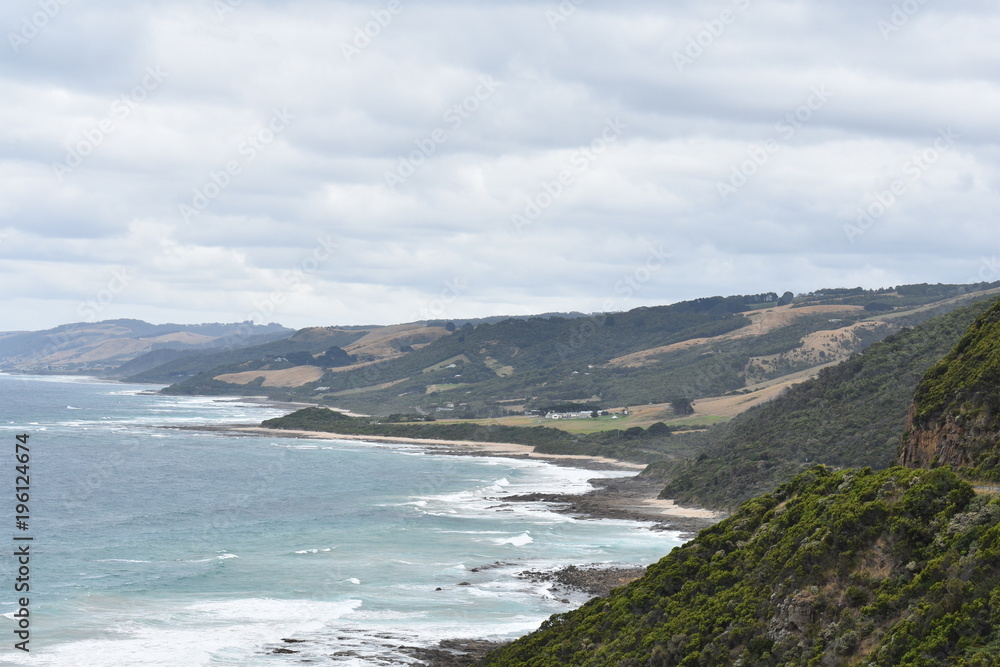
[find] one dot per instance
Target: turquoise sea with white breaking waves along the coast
(159, 546)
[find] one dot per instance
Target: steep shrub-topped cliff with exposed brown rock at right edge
(955, 416)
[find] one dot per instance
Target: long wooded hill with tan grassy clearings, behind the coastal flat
(702, 348)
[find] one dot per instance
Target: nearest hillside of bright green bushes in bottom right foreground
(899, 567)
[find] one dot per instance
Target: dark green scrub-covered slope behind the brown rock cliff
(851, 415)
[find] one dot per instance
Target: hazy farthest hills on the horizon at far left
(103, 346)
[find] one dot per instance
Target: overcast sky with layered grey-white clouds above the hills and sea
(322, 163)
